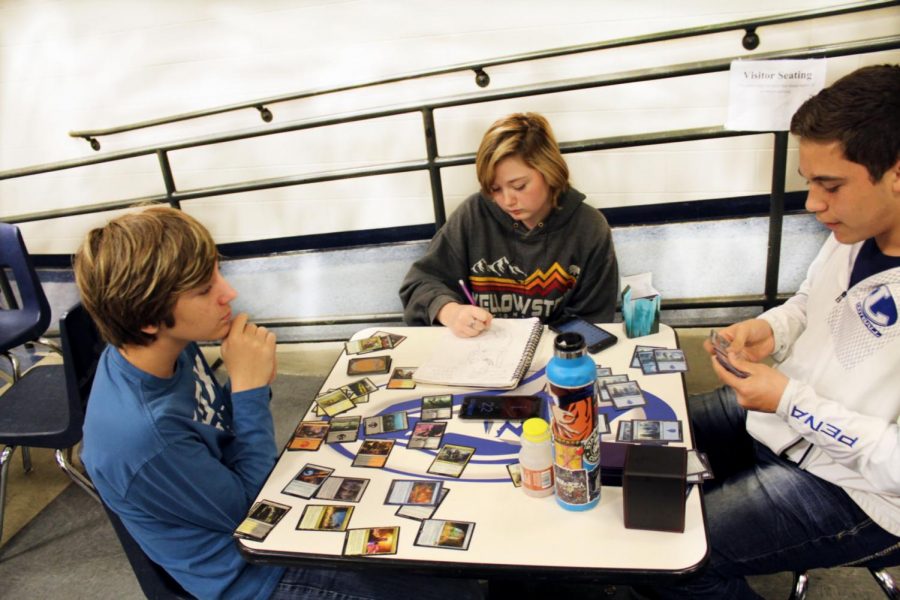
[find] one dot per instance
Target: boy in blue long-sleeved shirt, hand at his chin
(178, 457)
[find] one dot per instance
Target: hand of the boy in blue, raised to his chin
(248, 352)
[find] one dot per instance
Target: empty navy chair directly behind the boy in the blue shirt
(44, 408)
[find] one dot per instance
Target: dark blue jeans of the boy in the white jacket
(765, 515)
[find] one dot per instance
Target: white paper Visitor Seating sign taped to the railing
(764, 94)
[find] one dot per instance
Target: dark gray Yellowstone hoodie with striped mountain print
(567, 264)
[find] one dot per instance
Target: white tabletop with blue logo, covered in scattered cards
(513, 531)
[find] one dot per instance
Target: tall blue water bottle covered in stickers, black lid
(572, 384)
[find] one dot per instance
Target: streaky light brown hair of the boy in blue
(131, 271)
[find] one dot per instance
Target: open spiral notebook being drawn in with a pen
(498, 358)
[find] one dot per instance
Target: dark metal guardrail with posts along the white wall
(433, 163)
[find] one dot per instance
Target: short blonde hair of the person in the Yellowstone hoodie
(528, 136)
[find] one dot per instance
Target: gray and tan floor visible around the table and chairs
(60, 545)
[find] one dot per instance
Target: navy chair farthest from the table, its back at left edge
(29, 322)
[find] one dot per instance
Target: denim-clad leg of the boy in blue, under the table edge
(370, 584)
